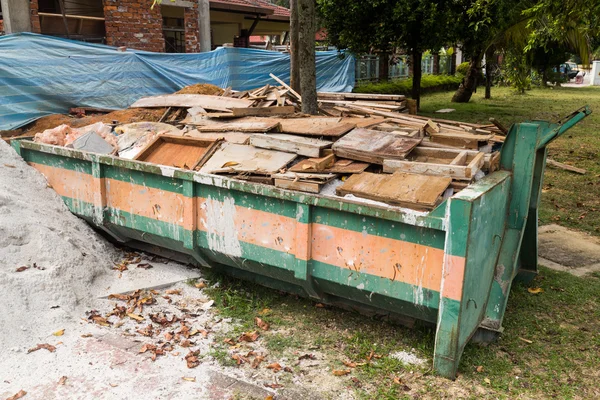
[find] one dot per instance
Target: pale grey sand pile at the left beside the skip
(49, 258)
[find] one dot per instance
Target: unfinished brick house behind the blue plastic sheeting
(172, 26)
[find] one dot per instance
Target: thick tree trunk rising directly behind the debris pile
(306, 55)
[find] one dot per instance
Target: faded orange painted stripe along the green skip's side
(384, 257)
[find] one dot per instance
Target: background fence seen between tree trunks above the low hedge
(367, 67)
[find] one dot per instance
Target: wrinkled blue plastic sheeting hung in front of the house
(42, 75)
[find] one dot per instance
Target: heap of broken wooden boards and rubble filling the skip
(363, 146)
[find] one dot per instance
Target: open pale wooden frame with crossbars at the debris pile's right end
(456, 164)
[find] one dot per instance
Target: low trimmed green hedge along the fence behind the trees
(429, 84)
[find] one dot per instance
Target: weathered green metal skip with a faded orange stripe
(453, 266)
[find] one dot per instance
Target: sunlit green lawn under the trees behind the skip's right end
(568, 199)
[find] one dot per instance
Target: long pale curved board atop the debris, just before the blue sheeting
(218, 103)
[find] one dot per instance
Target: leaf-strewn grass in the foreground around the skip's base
(563, 324)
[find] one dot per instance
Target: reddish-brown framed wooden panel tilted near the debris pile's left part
(178, 151)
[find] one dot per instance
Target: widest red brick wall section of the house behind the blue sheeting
(132, 23)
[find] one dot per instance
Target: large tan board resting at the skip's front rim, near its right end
(420, 192)
